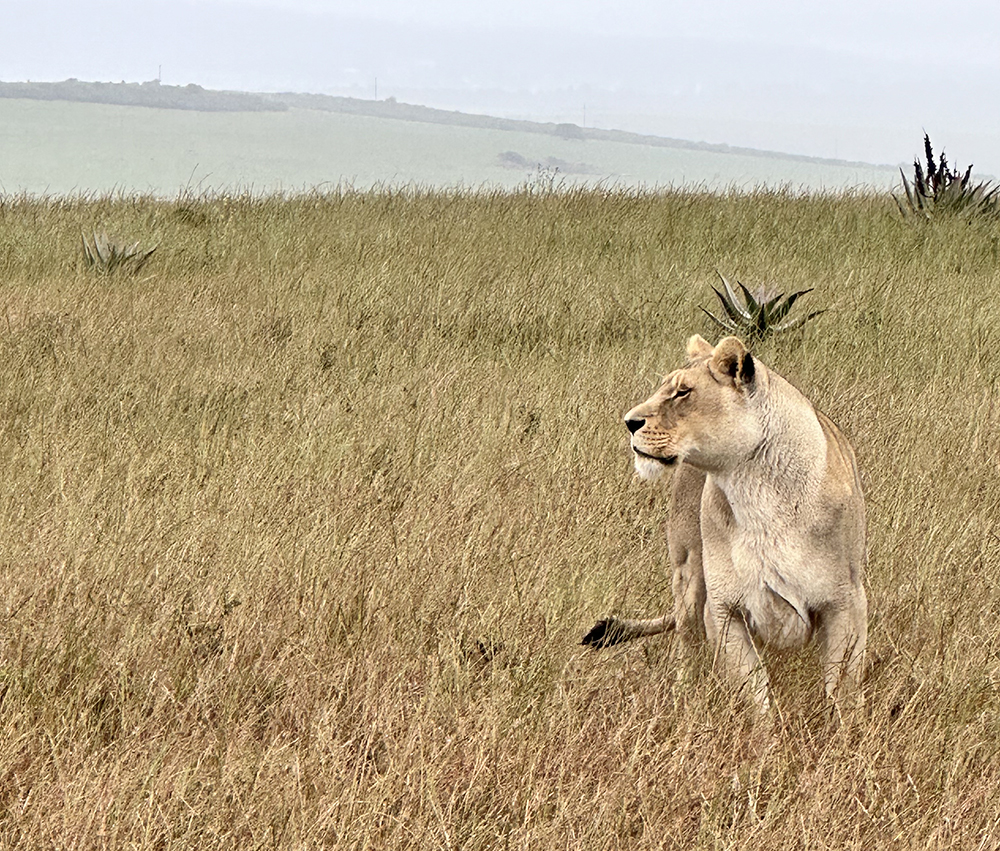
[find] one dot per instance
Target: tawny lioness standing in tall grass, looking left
(767, 528)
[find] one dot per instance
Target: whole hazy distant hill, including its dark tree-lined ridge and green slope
(76, 136)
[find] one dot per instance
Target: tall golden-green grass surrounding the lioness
(303, 526)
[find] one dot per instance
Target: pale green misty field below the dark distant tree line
(58, 147)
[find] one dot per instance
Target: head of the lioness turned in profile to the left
(702, 413)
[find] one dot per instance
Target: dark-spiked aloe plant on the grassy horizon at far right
(939, 188)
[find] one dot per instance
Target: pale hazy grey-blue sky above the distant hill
(853, 80)
